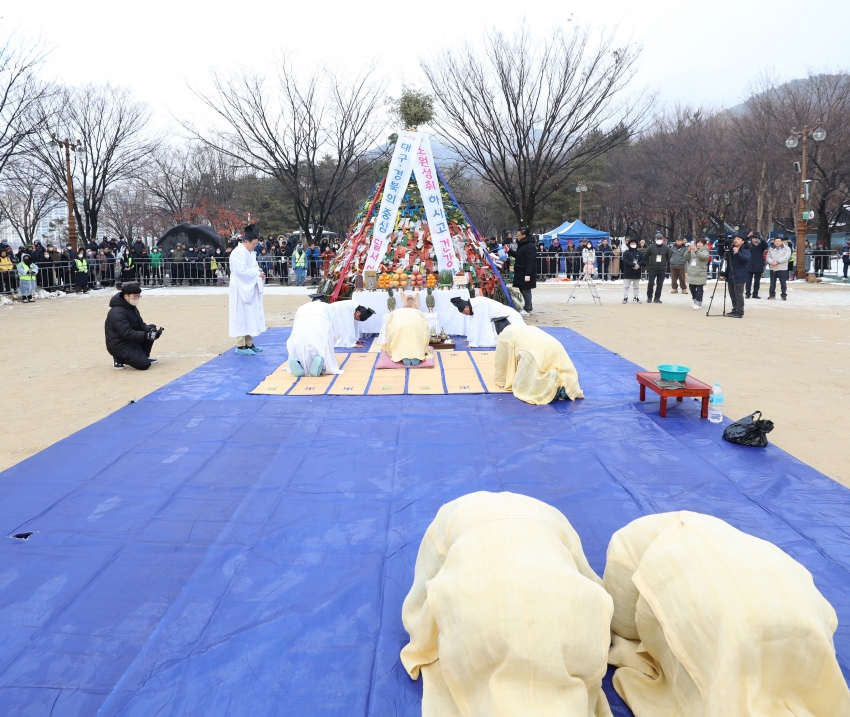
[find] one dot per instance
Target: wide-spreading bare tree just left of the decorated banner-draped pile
(315, 137)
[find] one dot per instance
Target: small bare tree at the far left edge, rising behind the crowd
(27, 197)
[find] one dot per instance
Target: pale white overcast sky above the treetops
(702, 53)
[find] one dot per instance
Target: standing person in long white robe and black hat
(247, 315)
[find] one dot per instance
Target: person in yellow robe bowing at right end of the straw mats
(535, 366)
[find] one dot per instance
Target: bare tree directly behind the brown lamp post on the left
(111, 126)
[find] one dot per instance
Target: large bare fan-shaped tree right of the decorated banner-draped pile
(528, 114)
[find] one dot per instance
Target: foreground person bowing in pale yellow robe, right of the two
(712, 622)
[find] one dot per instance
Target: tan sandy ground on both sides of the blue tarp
(791, 360)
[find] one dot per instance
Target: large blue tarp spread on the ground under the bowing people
(205, 552)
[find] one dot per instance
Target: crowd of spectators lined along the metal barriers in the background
(688, 264)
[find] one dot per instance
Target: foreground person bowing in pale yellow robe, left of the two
(506, 617)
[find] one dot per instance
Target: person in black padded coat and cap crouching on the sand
(129, 340)
